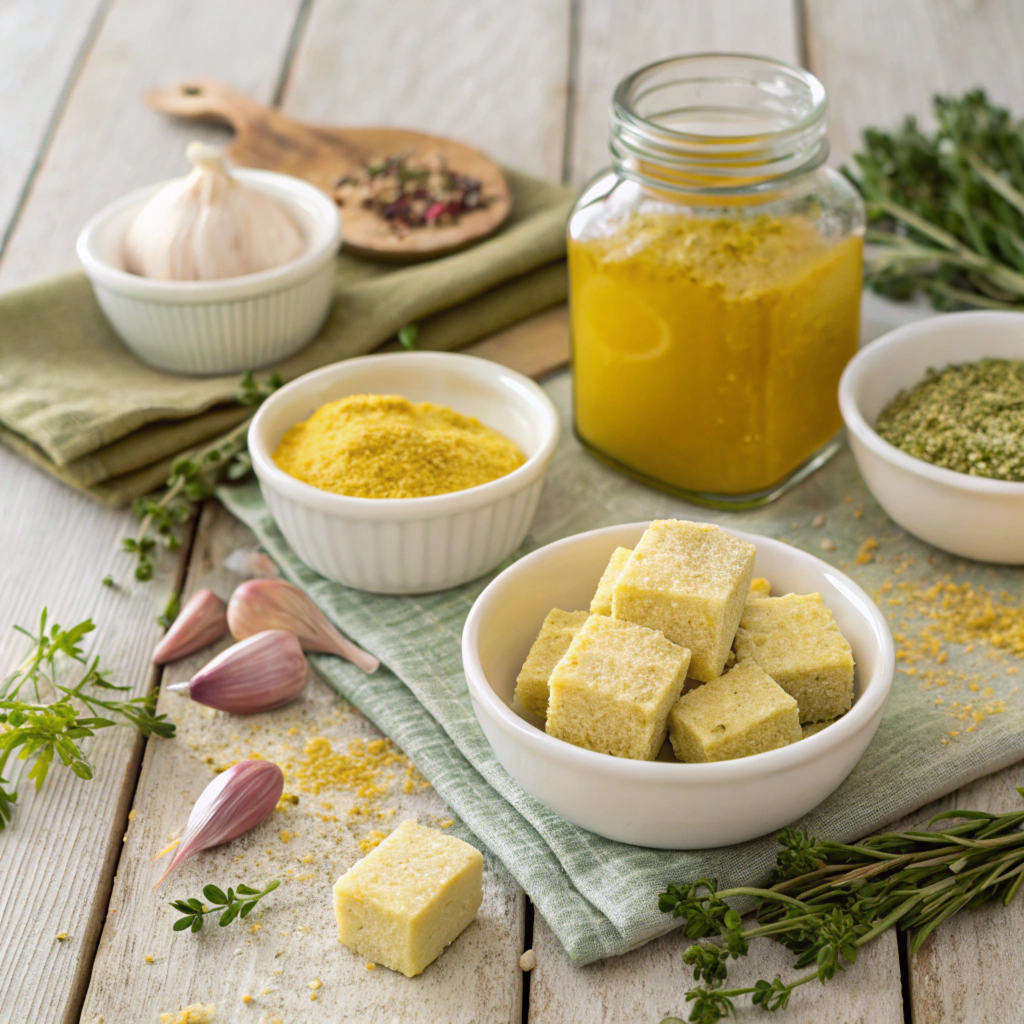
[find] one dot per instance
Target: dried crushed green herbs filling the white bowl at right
(968, 418)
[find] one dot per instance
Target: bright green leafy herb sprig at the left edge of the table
(40, 730)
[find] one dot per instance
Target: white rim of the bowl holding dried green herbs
(868, 360)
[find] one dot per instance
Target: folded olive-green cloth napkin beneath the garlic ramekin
(77, 403)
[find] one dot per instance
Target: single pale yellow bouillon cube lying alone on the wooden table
(409, 899)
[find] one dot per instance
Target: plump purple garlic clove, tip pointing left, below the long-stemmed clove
(263, 672)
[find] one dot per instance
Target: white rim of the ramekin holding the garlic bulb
(295, 190)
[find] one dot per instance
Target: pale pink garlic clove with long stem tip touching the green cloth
(275, 605)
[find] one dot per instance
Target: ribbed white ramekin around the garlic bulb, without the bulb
(218, 327)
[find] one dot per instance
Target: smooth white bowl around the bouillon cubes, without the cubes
(653, 803)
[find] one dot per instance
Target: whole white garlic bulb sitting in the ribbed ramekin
(209, 226)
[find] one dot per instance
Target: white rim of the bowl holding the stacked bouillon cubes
(876, 690)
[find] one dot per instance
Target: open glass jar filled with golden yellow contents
(715, 282)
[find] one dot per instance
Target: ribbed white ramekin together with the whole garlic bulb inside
(218, 273)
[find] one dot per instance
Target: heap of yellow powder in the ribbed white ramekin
(383, 446)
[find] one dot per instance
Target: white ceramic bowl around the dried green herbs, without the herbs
(972, 517)
